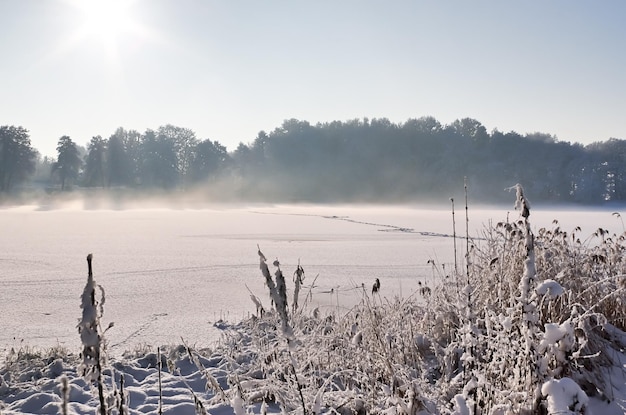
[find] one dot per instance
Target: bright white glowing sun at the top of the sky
(106, 21)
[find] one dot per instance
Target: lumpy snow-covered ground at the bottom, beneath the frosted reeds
(229, 379)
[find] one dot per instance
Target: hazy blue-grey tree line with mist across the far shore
(371, 160)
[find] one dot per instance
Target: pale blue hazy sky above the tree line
(229, 69)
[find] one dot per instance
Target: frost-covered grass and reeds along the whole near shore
(533, 324)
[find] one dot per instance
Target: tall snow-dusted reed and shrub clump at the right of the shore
(541, 305)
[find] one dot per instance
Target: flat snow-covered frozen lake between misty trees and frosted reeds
(172, 273)
